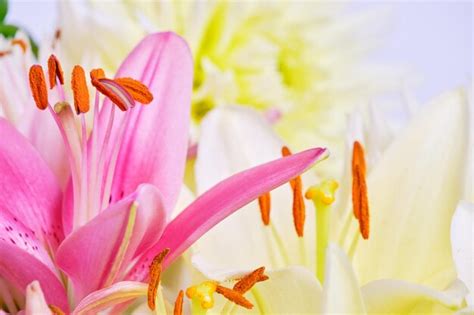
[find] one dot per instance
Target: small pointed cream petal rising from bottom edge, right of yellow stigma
(341, 293)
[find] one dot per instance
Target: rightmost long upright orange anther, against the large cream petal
(360, 202)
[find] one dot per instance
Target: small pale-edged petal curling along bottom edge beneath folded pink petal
(115, 294)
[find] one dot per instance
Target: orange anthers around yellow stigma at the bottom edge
(203, 293)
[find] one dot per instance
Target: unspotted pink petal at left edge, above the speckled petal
(30, 191)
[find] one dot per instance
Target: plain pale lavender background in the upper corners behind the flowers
(434, 38)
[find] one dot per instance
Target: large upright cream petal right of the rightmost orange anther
(413, 192)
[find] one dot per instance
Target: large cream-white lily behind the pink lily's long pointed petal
(413, 186)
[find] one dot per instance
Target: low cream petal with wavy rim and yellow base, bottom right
(401, 297)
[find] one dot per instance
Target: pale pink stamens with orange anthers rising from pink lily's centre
(91, 146)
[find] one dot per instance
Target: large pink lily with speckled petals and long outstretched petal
(126, 172)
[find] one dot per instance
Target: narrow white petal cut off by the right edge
(462, 238)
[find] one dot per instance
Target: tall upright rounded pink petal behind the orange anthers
(155, 143)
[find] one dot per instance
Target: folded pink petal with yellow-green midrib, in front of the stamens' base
(96, 254)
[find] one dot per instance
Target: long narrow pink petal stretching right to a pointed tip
(221, 201)
